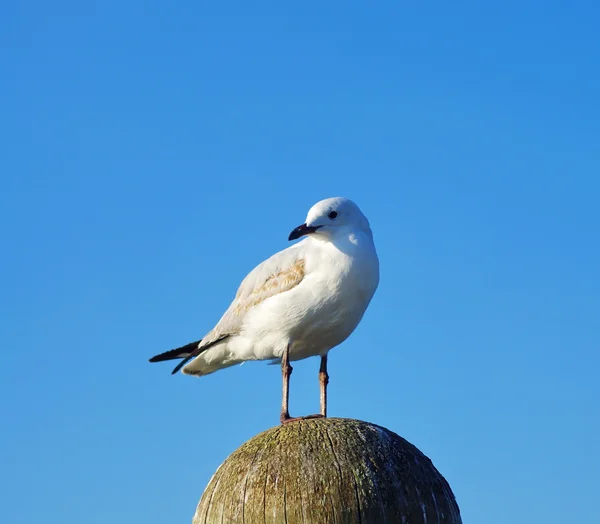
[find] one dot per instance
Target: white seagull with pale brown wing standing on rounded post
(299, 303)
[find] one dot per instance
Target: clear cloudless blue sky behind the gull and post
(153, 154)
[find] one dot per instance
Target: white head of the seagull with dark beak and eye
(332, 217)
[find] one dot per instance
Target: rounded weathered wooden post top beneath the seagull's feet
(327, 471)
